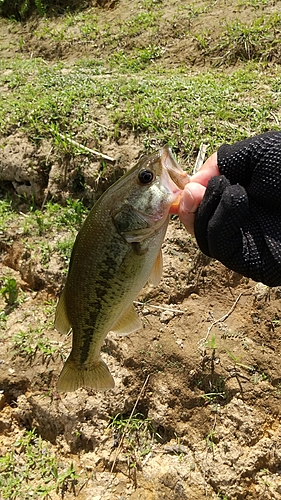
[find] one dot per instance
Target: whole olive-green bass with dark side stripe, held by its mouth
(116, 251)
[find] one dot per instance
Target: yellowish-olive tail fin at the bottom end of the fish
(97, 376)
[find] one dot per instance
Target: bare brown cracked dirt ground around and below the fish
(204, 371)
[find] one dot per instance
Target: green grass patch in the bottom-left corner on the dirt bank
(30, 470)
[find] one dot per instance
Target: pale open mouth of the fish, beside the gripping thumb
(177, 175)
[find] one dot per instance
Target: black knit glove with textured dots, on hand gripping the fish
(239, 219)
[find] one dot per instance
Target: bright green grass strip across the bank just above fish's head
(181, 109)
